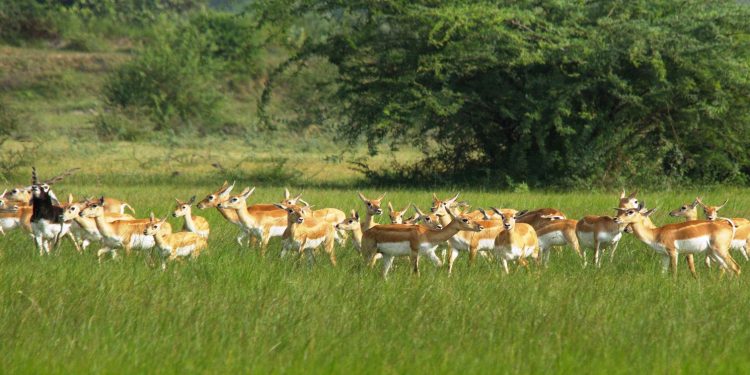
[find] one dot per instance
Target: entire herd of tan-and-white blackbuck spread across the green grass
(504, 234)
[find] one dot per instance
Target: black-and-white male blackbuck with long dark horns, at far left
(46, 218)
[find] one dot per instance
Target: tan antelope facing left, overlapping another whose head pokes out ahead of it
(259, 222)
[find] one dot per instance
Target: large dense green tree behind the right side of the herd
(565, 92)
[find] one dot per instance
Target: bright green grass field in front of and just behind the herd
(233, 311)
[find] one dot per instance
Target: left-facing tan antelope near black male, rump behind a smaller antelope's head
(125, 234)
